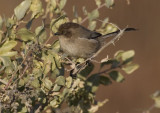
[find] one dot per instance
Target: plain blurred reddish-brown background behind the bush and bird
(132, 95)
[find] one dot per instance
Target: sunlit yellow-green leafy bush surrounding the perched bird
(34, 74)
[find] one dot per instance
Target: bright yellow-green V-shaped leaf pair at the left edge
(6, 47)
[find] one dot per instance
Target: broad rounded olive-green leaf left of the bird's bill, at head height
(26, 35)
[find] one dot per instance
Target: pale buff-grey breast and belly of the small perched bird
(79, 47)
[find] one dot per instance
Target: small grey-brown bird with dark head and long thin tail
(77, 41)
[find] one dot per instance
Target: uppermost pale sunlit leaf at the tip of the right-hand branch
(127, 55)
